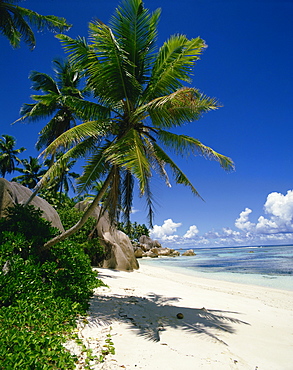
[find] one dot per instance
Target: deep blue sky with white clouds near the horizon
(248, 68)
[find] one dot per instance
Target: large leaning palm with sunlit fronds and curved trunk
(141, 99)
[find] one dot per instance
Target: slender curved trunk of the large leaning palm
(84, 218)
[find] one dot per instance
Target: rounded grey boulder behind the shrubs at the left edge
(12, 193)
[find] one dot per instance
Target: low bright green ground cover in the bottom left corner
(33, 331)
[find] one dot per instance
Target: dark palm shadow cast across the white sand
(151, 315)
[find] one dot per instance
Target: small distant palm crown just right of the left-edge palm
(31, 173)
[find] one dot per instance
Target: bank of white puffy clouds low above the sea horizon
(275, 226)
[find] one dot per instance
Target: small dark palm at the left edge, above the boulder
(8, 154)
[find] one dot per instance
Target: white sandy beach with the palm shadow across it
(222, 325)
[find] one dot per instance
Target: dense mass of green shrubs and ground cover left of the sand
(41, 294)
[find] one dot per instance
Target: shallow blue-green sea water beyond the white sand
(268, 266)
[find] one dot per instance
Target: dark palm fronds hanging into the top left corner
(16, 22)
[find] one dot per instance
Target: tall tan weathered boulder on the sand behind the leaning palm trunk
(118, 247)
